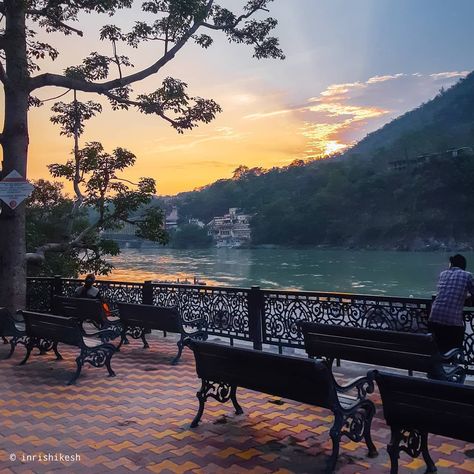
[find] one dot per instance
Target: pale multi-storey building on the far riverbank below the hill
(230, 230)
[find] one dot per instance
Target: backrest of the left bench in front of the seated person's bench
(53, 327)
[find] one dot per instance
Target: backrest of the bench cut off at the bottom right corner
(437, 407)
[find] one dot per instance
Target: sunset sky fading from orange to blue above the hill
(351, 66)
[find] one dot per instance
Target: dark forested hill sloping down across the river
(358, 200)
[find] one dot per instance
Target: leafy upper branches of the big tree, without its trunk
(171, 23)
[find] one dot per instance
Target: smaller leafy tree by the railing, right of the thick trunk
(98, 187)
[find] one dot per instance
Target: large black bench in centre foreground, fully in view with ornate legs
(222, 369)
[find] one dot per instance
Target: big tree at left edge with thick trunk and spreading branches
(172, 23)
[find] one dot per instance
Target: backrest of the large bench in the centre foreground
(299, 379)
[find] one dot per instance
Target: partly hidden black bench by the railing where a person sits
(86, 310)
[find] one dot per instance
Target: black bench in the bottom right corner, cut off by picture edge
(414, 407)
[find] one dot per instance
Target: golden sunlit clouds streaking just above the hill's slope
(343, 113)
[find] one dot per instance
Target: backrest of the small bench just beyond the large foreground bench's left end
(150, 317)
